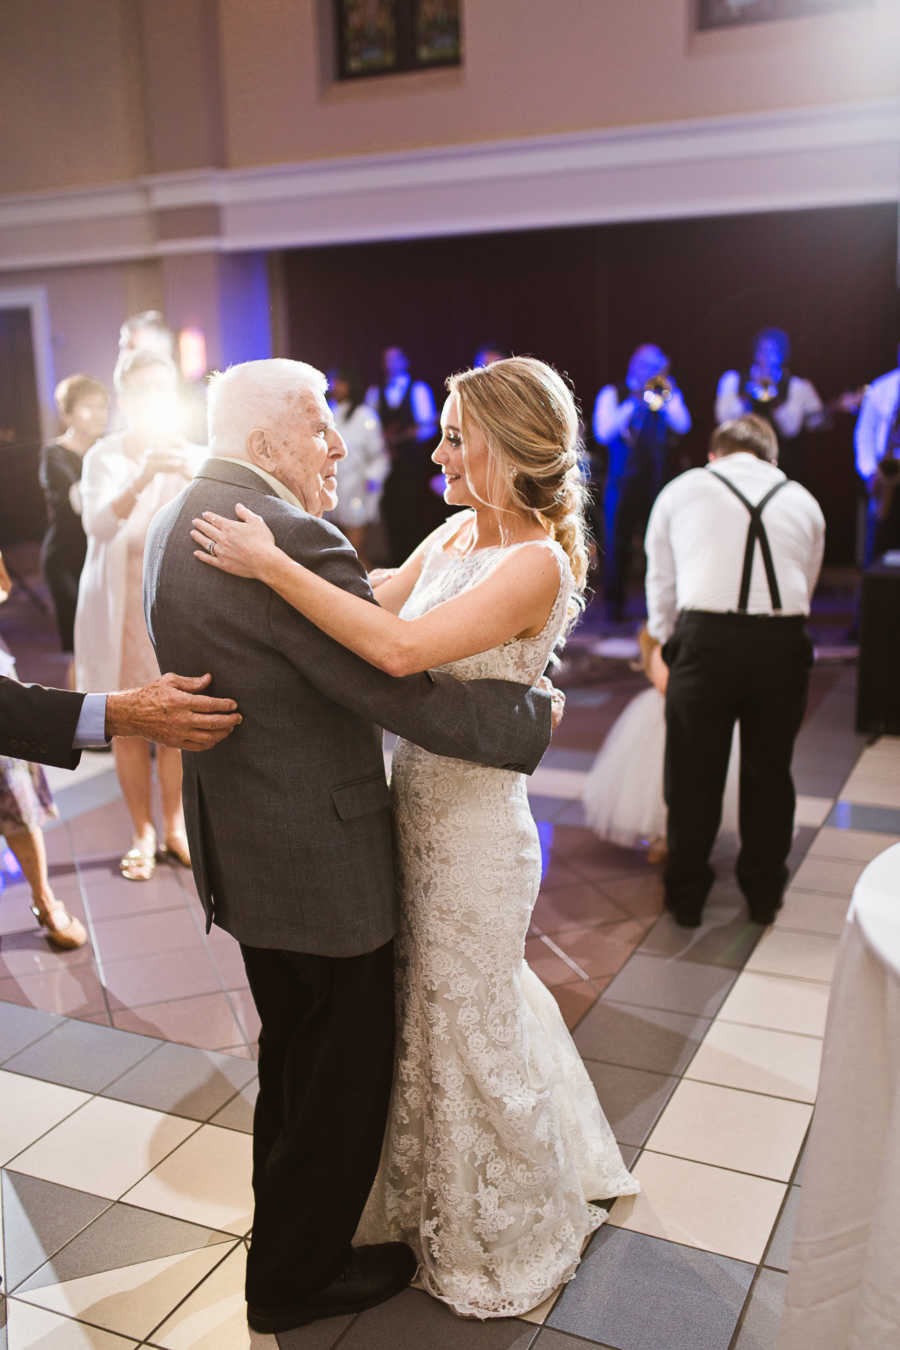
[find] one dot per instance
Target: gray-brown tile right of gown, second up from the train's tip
(642, 1039)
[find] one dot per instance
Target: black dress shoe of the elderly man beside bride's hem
(372, 1276)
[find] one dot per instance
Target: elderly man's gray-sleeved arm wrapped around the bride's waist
(488, 722)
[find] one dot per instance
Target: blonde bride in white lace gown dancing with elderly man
(496, 1144)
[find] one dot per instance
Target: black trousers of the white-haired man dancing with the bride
(326, 1063)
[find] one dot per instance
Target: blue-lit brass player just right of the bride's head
(639, 422)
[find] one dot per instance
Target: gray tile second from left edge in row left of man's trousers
(80, 1055)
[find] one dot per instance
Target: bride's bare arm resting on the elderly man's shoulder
(515, 599)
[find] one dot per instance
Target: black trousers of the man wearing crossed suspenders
(727, 669)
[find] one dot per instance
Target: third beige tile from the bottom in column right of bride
(759, 1060)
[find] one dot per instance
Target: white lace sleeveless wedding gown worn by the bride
(496, 1143)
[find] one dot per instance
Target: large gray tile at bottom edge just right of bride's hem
(643, 1294)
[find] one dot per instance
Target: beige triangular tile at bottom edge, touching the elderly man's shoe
(215, 1316)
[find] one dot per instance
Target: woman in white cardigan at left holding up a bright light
(128, 477)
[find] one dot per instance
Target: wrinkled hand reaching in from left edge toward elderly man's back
(173, 712)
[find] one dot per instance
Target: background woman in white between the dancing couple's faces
(361, 476)
